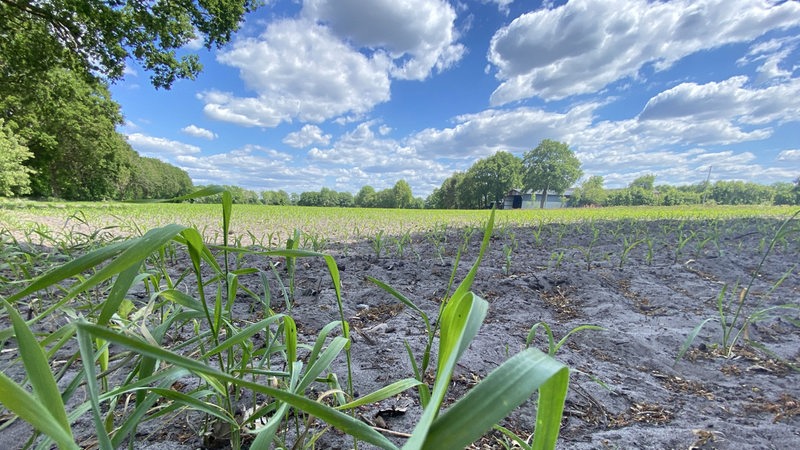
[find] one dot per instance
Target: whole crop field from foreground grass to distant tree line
(680, 327)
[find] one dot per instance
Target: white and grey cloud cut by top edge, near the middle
(417, 34)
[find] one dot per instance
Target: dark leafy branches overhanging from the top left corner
(98, 36)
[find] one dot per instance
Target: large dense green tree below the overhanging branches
(69, 124)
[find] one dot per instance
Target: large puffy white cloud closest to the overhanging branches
(299, 71)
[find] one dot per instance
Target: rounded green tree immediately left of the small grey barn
(490, 179)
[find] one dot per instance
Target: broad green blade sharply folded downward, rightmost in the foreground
(505, 388)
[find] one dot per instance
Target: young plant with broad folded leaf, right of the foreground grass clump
(495, 396)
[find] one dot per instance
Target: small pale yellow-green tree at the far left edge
(14, 175)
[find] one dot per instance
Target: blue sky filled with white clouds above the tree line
(347, 93)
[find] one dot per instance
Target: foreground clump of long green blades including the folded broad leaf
(219, 368)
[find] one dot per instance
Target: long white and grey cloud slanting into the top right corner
(584, 45)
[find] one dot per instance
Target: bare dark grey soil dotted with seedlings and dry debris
(626, 390)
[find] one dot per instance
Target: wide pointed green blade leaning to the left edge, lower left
(38, 369)
